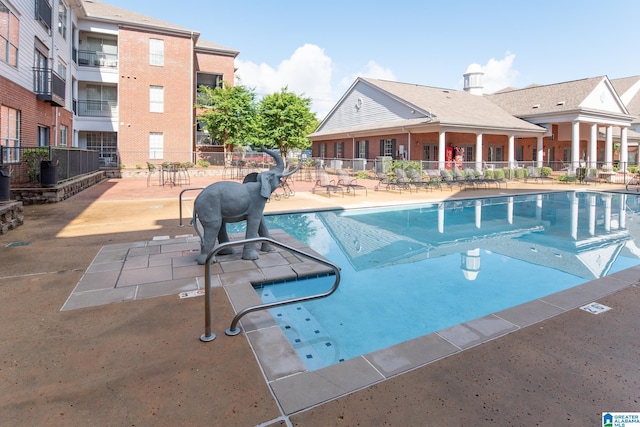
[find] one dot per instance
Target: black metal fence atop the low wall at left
(25, 163)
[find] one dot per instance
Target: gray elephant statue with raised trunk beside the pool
(228, 201)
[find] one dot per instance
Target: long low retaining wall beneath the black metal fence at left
(58, 193)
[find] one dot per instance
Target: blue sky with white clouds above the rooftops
(318, 49)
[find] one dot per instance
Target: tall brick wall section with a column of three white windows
(136, 76)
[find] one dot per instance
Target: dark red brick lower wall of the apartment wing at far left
(33, 113)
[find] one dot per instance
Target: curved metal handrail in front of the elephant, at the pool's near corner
(233, 329)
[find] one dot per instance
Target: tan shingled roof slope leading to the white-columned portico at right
(520, 102)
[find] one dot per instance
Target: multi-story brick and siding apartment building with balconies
(82, 73)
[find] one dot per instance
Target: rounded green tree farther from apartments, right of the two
(285, 121)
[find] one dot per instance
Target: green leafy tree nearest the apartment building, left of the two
(228, 114)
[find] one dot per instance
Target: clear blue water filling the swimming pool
(409, 271)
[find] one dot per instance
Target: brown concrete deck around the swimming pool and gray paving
(140, 362)
